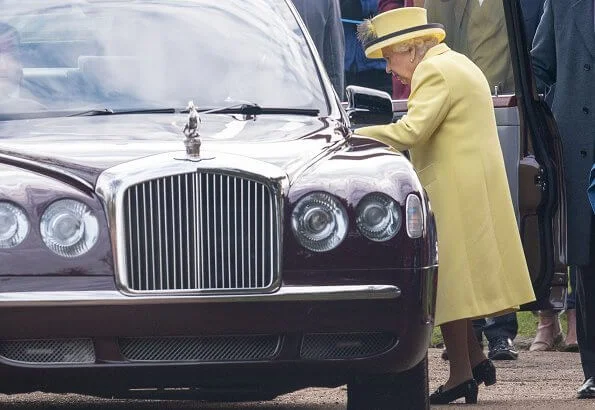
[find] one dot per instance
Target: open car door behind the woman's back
(526, 122)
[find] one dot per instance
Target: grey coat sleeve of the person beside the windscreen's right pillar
(334, 49)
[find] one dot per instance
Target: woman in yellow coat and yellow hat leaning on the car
(450, 132)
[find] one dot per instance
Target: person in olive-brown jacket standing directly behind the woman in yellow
(477, 28)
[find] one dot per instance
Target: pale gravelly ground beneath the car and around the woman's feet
(535, 381)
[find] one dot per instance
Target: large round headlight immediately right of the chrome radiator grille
(319, 222)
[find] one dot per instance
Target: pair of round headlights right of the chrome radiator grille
(320, 222)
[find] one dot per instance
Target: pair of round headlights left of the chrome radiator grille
(68, 227)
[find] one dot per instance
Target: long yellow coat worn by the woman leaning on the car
(450, 130)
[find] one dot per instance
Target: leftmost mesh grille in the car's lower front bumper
(48, 351)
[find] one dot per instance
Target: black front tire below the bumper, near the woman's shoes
(406, 390)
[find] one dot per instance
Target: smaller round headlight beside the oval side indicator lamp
(378, 217)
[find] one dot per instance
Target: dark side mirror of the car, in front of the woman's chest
(367, 106)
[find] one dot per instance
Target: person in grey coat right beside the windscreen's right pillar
(323, 20)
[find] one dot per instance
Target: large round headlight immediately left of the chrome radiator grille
(69, 228)
